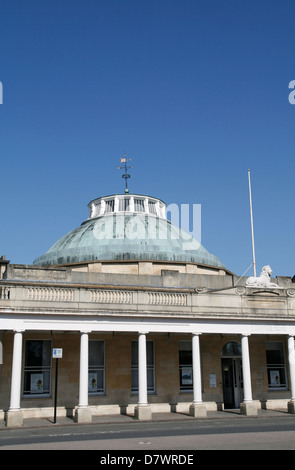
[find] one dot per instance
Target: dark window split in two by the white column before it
(150, 366)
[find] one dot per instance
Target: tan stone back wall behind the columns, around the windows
(118, 396)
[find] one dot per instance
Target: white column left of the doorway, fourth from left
(197, 408)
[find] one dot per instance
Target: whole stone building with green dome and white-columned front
(145, 320)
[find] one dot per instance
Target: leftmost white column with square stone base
(14, 416)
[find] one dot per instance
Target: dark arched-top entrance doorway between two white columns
(232, 375)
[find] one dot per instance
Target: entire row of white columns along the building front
(14, 416)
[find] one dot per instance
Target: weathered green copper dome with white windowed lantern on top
(127, 227)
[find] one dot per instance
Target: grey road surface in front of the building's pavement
(273, 433)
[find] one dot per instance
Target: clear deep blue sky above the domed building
(194, 91)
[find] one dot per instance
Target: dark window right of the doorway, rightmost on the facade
(276, 366)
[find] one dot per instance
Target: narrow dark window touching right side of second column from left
(96, 368)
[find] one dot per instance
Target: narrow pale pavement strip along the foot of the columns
(156, 417)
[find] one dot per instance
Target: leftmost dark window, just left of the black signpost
(37, 370)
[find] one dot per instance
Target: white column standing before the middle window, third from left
(143, 409)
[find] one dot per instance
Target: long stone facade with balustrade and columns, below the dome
(185, 317)
